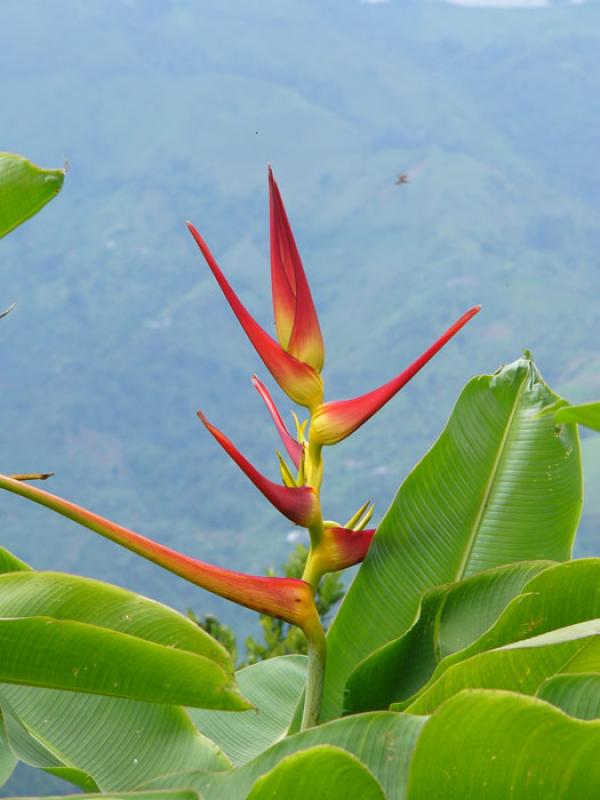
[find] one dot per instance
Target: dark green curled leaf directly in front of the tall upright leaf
(450, 618)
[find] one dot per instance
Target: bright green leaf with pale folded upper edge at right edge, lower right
(521, 667)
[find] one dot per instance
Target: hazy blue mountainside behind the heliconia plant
(171, 109)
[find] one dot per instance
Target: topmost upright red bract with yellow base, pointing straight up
(296, 320)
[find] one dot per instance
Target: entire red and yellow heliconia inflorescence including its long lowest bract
(295, 359)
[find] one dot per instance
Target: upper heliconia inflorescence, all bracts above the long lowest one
(295, 360)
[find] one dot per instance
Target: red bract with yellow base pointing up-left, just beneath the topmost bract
(297, 379)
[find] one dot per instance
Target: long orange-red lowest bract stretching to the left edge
(289, 599)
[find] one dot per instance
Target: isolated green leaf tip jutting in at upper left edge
(24, 189)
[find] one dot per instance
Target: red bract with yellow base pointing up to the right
(334, 421)
